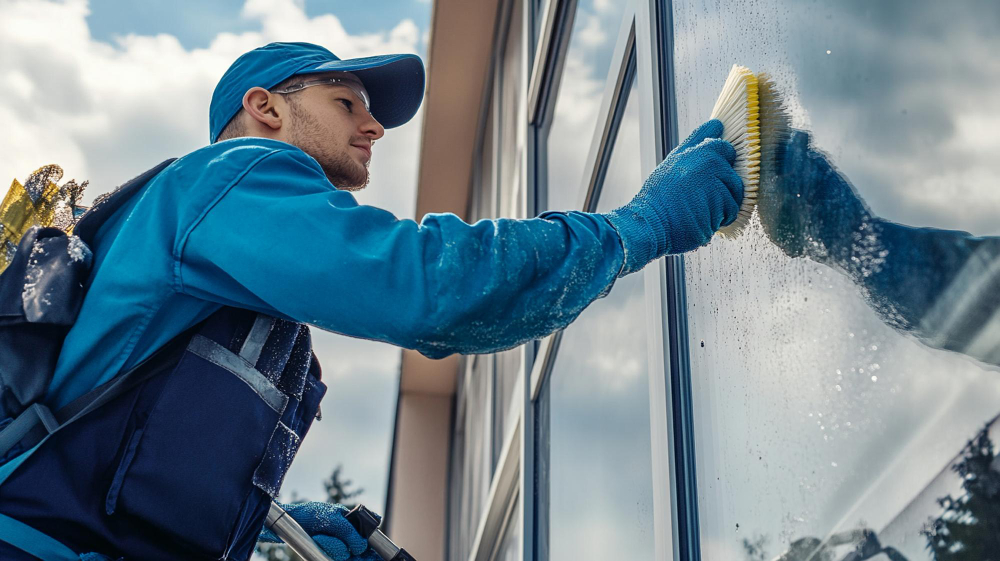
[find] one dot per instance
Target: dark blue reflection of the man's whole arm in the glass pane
(943, 286)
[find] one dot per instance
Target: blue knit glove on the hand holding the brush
(689, 196)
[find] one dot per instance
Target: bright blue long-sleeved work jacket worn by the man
(254, 223)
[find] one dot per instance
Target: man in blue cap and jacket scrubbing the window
(248, 238)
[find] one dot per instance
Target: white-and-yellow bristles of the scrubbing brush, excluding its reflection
(738, 107)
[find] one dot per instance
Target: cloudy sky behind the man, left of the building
(109, 88)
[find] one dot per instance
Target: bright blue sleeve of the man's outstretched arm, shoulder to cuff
(282, 240)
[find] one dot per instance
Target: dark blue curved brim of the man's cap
(395, 84)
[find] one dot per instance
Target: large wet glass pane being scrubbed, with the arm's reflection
(844, 350)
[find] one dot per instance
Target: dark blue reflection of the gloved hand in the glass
(811, 209)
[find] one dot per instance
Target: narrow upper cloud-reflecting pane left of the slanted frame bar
(574, 120)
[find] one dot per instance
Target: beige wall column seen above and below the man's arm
(458, 68)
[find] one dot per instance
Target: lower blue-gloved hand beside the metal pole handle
(326, 523)
